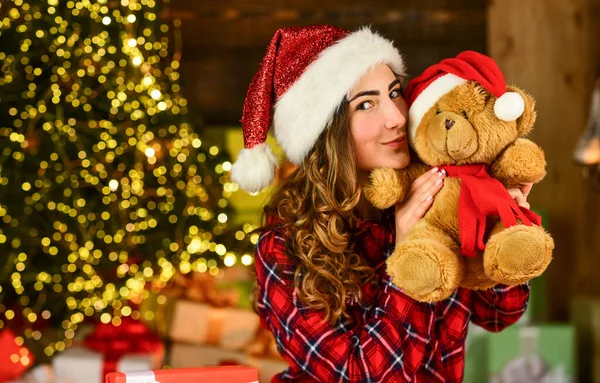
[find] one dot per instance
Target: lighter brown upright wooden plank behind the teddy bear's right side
(549, 48)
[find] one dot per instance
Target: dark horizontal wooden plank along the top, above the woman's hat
(241, 24)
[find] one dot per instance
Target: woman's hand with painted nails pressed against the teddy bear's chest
(418, 201)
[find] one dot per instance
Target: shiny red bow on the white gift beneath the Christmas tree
(130, 337)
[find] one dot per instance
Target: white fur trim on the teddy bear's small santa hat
(428, 97)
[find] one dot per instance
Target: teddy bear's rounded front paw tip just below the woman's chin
(385, 188)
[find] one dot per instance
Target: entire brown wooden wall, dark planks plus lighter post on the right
(547, 47)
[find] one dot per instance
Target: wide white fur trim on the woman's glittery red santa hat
(307, 108)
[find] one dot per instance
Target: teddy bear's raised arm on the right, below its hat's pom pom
(521, 162)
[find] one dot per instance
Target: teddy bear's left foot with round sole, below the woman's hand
(425, 270)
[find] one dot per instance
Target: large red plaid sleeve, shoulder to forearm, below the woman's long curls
(385, 343)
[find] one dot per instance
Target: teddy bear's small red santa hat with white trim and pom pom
(425, 90)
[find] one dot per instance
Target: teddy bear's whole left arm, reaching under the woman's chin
(388, 186)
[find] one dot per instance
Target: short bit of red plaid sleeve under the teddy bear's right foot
(499, 307)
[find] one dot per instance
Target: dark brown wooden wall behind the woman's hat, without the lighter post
(224, 41)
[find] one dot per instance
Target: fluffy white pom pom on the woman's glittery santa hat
(255, 168)
